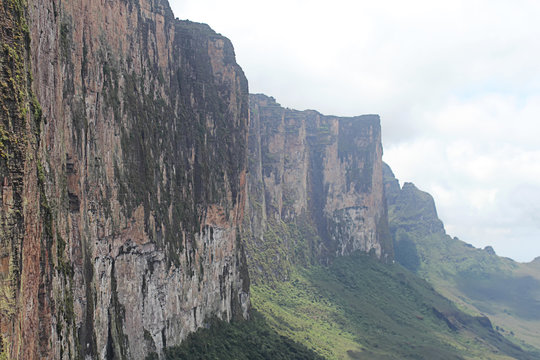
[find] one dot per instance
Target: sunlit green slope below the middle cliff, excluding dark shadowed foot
(360, 309)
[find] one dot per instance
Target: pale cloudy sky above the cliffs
(456, 83)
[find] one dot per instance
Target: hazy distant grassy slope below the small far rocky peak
(482, 283)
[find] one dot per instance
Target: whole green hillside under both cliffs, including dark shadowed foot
(356, 308)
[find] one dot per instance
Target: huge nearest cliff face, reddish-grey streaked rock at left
(123, 192)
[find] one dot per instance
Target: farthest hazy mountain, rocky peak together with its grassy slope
(479, 281)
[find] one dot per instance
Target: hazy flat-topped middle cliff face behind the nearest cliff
(315, 188)
